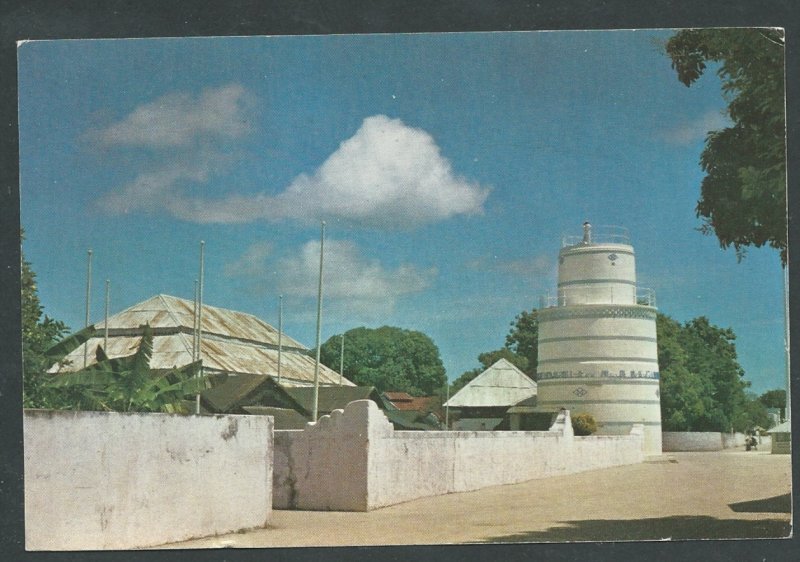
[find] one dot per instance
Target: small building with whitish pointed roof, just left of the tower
(483, 402)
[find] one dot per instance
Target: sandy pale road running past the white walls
(732, 494)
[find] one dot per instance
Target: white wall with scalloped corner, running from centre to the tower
(355, 461)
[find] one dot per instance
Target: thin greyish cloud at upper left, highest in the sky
(179, 119)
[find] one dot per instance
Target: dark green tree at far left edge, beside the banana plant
(39, 333)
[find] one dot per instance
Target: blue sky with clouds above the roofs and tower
(447, 168)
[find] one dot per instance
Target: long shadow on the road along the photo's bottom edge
(676, 527)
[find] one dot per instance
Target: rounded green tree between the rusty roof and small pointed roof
(387, 358)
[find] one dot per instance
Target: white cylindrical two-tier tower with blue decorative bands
(597, 338)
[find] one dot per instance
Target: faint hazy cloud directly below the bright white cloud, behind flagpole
(351, 281)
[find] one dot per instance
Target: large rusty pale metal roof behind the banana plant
(233, 342)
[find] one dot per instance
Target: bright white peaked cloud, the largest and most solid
(387, 174)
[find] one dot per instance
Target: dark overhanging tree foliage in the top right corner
(743, 195)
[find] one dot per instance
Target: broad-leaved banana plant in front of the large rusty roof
(127, 384)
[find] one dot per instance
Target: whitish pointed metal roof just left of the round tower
(501, 385)
